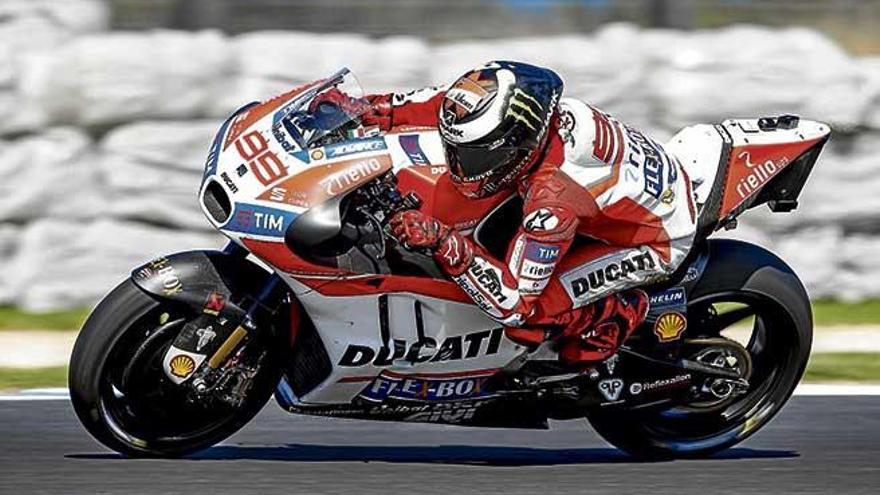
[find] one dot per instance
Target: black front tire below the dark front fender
(99, 352)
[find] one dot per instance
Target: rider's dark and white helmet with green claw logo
(495, 122)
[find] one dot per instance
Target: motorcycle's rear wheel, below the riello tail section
(768, 312)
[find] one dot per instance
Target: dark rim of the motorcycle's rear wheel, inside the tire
(774, 349)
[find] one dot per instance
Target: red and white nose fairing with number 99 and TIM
(259, 179)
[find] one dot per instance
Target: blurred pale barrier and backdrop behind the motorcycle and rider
(107, 108)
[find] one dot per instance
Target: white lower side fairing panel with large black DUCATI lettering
(464, 339)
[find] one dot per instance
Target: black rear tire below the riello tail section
(780, 345)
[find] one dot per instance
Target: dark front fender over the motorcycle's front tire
(196, 278)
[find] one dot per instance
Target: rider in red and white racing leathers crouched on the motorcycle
(599, 198)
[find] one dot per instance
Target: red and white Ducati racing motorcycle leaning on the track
(314, 302)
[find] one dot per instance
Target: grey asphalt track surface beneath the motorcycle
(816, 445)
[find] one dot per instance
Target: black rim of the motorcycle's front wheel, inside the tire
(139, 404)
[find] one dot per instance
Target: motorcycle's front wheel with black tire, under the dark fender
(121, 394)
